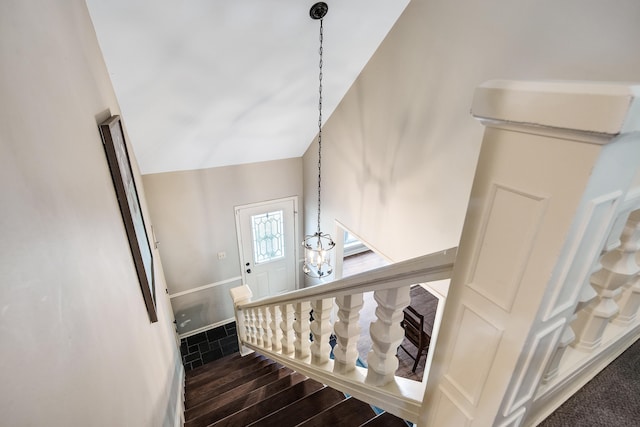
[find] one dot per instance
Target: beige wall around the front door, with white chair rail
(193, 218)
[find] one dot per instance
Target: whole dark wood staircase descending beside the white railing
(256, 391)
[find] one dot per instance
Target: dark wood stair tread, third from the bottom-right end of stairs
(302, 409)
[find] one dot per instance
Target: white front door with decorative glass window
(267, 241)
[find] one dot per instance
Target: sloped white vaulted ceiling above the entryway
(207, 83)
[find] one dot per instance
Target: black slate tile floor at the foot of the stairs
(208, 346)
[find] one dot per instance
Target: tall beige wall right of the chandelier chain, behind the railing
(399, 152)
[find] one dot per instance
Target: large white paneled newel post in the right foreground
(556, 160)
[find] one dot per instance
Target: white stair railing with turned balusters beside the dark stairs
(295, 328)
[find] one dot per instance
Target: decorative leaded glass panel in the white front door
(268, 236)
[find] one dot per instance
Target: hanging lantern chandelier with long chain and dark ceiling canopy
(317, 247)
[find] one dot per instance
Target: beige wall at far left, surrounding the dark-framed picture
(77, 344)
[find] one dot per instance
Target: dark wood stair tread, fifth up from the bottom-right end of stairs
(235, 400)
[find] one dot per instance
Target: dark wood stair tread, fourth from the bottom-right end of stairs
(265, 407)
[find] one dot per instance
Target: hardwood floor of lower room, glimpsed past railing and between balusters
(421, 299)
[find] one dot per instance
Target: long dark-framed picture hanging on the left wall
(125, 187)
